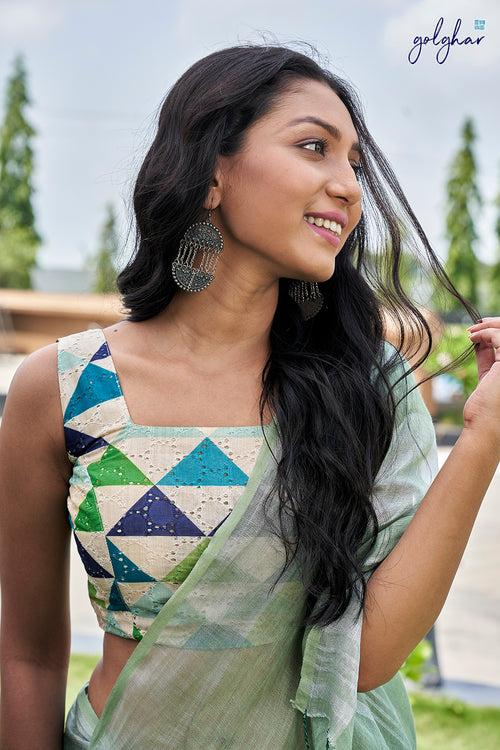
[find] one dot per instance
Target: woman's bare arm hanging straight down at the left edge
(34, 558)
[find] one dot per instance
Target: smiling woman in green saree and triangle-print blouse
(259, 314)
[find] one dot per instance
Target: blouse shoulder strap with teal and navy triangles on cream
(90, 393)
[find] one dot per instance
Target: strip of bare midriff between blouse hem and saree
(115, 654)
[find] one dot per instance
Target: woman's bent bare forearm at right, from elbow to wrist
(408, 589)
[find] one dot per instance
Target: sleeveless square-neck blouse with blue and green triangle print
(144, 501)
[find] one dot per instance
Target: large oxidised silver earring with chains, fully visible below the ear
(204, 236)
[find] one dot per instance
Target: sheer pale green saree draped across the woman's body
(224, 663)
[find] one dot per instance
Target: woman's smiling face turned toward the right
(285, 173)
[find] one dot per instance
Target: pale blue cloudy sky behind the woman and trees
(98, 71)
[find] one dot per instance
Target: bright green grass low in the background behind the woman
(441, 722)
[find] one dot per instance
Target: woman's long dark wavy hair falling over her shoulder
(335, 424)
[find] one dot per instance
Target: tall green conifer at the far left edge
(19, 238)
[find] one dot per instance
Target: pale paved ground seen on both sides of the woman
(468, 629)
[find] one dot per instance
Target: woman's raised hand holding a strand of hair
(482, 408)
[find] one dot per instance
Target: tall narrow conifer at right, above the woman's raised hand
(463, 203)
